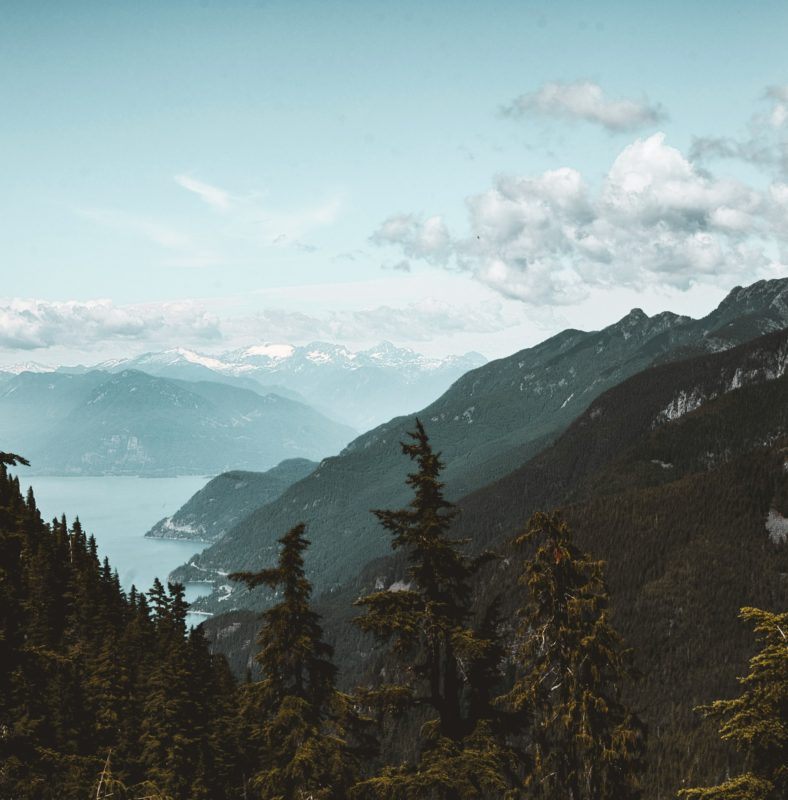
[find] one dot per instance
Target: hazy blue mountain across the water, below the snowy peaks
(133, 423)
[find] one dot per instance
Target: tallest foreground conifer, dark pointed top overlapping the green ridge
(448, 664)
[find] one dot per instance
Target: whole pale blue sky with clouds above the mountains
(448, 176)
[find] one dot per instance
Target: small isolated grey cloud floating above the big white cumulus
(587, 101)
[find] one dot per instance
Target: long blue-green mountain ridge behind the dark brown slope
(490, 422)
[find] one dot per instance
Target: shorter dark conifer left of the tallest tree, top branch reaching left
(301, 744)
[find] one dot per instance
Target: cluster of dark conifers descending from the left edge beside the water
(86, 669)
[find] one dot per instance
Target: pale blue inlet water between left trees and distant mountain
(118, 511)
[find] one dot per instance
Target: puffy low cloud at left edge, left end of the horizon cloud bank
(40, 324)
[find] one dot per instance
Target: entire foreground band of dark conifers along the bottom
(520, 691)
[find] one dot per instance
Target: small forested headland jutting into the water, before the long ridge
(227, 499)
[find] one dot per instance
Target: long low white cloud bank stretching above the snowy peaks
(28, 325)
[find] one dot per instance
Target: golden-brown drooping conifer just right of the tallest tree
(584, 743)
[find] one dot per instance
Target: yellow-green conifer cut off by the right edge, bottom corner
(756, 722)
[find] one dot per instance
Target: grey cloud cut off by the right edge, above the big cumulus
(765, 142)
